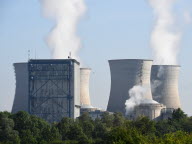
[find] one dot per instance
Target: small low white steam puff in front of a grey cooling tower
(137, 94)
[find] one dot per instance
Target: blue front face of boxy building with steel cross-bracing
(50, 83)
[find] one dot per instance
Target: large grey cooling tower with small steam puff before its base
(124, 75)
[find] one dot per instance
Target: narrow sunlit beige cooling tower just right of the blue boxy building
(84, 86)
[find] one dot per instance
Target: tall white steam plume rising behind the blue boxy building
(63, 38)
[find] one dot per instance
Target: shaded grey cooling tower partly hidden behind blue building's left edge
(21, 93)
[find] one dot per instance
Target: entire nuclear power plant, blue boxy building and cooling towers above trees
(57, 88)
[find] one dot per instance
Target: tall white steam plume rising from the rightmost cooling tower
(165, 37)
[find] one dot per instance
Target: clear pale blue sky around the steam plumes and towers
(110, 29)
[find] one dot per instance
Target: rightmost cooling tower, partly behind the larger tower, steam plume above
(164, 82)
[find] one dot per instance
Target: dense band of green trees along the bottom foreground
(22, 128)
